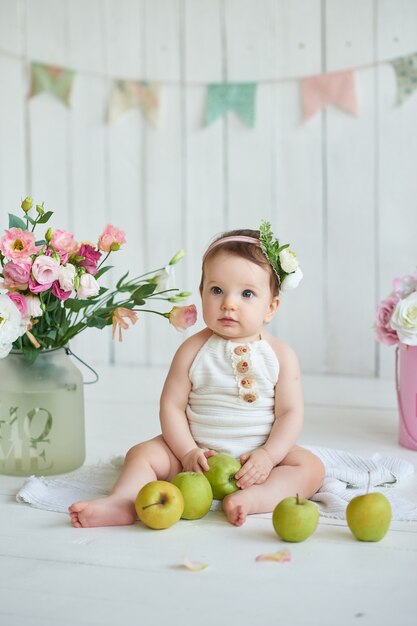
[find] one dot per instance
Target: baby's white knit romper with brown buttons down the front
(231, 403)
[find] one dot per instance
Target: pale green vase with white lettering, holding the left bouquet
(41, 414)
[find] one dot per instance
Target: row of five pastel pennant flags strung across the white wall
(317, 92)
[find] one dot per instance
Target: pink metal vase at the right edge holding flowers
(406, 383)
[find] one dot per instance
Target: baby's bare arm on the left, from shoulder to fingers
(174, 400)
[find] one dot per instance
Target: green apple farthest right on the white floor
(369, 516)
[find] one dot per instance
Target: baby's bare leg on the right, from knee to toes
(300, 472)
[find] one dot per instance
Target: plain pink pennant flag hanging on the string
(336, 88)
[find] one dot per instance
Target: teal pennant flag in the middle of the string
(237, 97)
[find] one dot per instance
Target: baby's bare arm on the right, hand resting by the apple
(289, 415)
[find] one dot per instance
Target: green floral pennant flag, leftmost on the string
(56, 80)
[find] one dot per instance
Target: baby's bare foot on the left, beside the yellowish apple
(110, 511)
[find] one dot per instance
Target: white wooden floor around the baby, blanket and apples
(54, 574)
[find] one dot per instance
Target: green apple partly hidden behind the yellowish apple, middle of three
(197, 494)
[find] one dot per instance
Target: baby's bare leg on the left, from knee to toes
(151, 460)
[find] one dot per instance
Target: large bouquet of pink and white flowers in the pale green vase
(50, 291)
